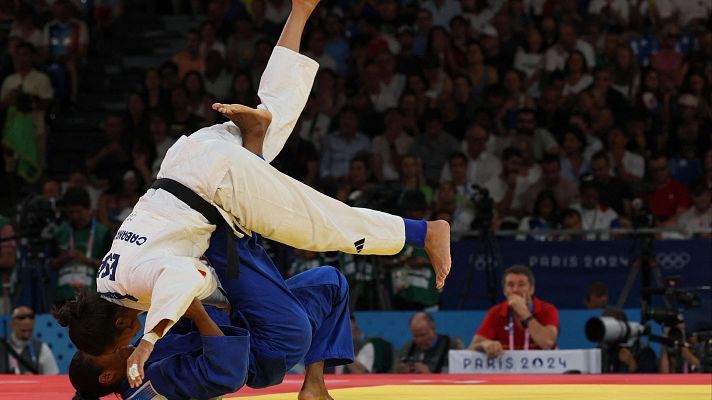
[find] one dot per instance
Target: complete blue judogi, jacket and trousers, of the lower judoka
(276, 324)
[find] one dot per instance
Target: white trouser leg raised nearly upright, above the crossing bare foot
(284, 90)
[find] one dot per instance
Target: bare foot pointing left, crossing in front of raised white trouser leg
(253, 123)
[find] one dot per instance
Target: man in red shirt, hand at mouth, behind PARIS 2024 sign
(521, 322)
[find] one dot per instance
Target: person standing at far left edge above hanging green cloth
(25, 95)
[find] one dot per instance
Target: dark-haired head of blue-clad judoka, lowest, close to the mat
(97, 376)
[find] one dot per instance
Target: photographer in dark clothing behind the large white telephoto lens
(630, 357)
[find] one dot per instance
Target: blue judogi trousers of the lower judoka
(303, 318)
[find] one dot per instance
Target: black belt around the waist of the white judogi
(210, 212)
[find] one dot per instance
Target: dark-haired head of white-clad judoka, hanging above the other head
(97, 326)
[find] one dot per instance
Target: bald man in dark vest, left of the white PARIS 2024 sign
(427, 351)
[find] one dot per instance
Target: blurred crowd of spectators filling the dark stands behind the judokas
(529, 115)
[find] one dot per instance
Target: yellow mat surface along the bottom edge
(513, 392)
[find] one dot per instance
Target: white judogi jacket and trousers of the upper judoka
(155, 257)
